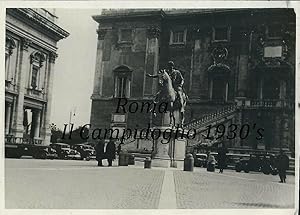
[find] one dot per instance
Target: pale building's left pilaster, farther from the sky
(23, 69)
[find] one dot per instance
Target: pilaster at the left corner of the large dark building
(98, 79)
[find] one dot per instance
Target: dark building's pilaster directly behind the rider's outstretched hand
(151, 60)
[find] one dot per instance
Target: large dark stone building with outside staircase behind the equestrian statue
(238, 65)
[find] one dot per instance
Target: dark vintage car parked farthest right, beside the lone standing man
(257, 163)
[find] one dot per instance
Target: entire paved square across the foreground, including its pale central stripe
(62, 184)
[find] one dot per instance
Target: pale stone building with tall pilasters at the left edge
(30, 53)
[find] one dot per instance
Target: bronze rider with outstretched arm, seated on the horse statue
(177, 82)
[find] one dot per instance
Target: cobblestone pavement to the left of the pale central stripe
(79, 184)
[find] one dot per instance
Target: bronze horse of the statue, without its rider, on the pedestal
(169, 95)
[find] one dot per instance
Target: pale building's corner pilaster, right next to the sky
(47, 110)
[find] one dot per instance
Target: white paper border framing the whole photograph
(147, 4)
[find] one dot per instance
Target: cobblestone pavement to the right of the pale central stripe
(203, 189)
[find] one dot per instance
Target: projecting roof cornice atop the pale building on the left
(39, 20)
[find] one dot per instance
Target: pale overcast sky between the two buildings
(74, 67)
